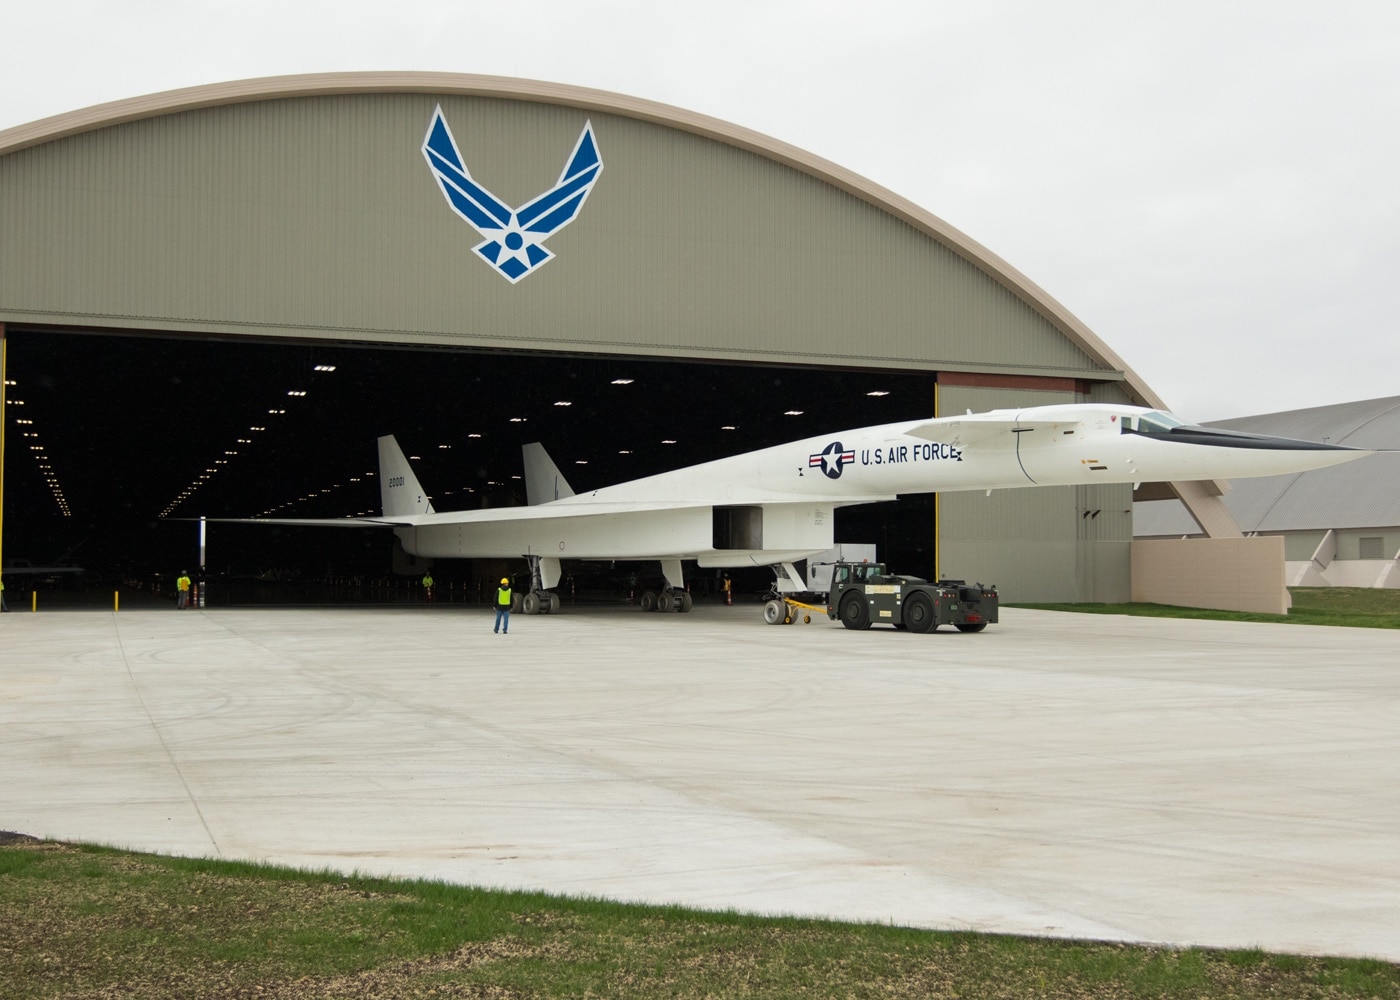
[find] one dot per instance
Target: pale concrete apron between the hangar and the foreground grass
(1209, 784)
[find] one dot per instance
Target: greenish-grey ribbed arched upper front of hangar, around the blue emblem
(303, 207)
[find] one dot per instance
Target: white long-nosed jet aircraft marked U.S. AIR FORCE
(775, 508)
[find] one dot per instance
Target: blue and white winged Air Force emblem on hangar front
(514, 237)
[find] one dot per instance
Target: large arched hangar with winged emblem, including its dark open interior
(285, 247)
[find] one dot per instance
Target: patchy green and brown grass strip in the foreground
(85, 922)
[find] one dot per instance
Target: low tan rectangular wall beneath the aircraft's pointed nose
(1226, 574)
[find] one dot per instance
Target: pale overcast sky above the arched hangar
(1212, 186)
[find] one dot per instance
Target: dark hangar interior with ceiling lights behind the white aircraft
(115, 442)
